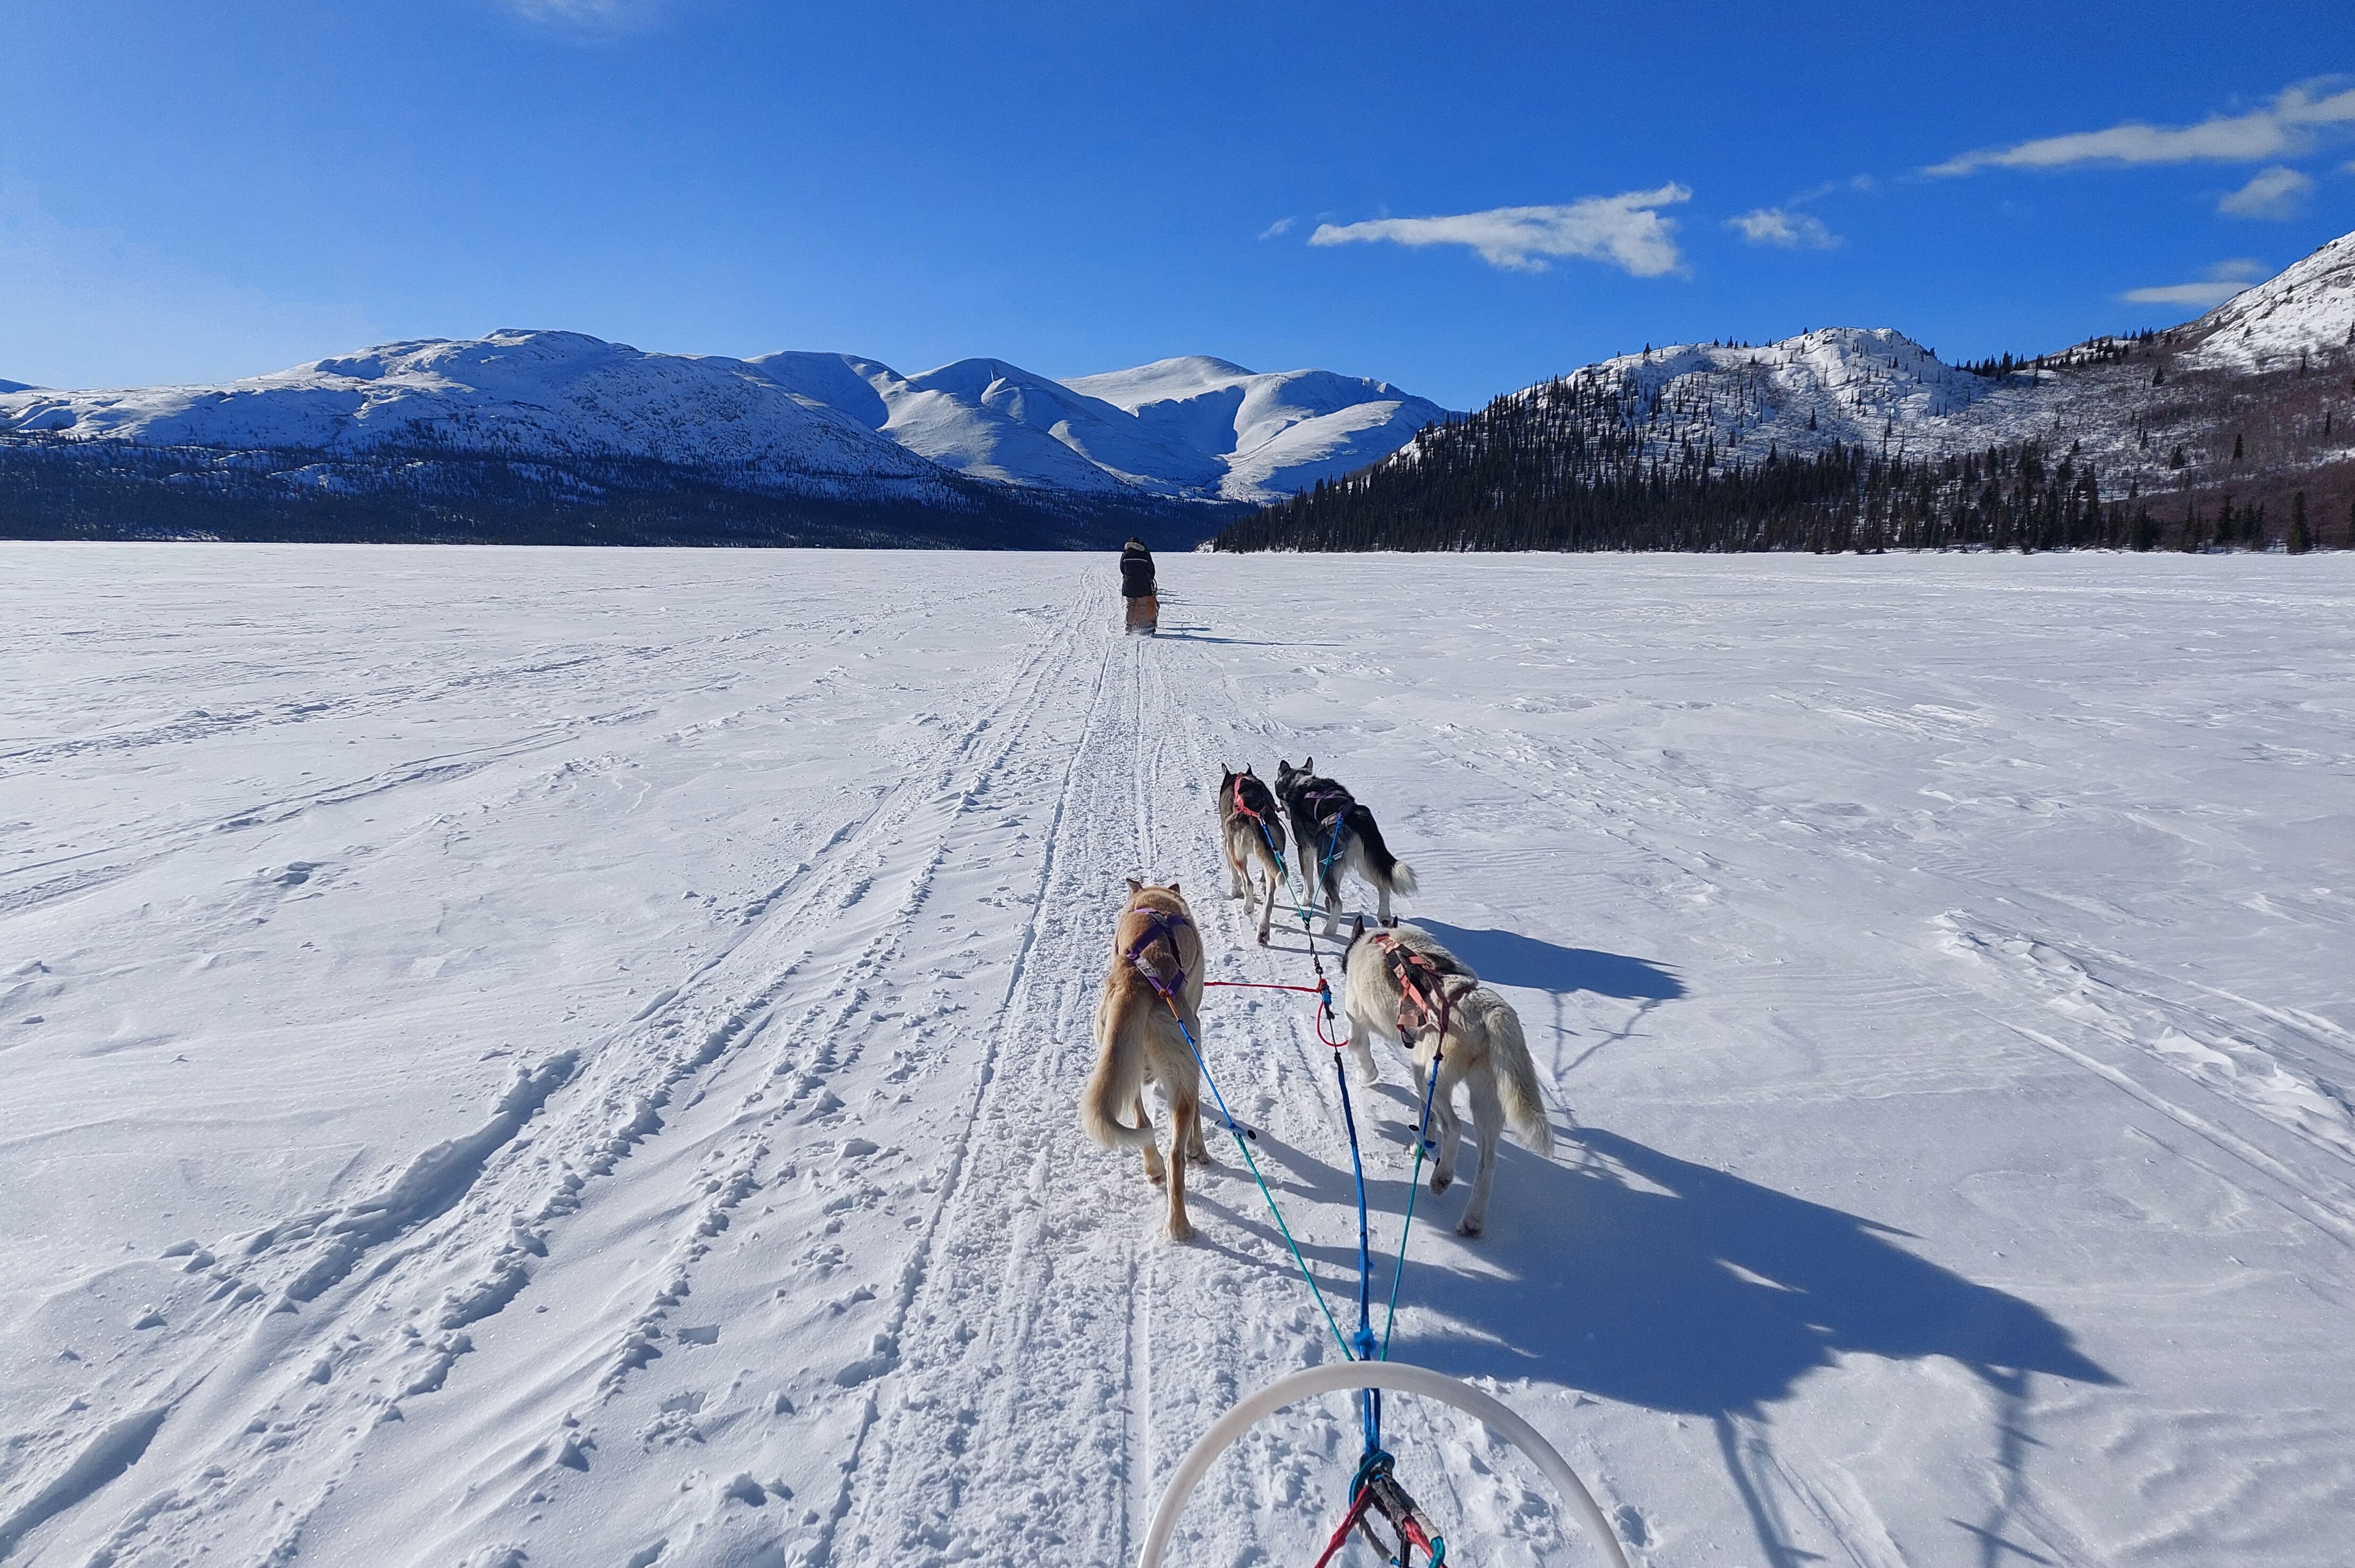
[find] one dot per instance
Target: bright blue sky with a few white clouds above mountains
(1459, 199)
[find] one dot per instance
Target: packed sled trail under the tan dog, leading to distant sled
(1059, 1350)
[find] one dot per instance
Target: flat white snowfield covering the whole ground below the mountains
(571, 1058)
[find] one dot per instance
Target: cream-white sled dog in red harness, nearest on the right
(1409, 990)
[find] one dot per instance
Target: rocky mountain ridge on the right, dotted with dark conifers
(2224, 430)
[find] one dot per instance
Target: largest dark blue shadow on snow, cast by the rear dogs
(1654, 1282)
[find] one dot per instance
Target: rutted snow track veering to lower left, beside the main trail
(465, 1223)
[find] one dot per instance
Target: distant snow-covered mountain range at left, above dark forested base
(1190, 430)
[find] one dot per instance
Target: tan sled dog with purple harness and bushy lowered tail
(1155, 969)
